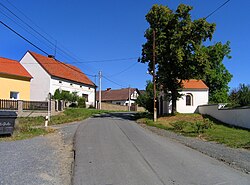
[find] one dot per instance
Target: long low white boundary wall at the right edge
(238, 117)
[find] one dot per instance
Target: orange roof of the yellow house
(13, 67)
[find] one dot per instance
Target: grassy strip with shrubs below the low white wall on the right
(195, 125)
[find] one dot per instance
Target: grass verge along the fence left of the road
(29, 127)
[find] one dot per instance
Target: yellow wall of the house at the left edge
(14, 84)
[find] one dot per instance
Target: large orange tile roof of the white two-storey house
(61, 70)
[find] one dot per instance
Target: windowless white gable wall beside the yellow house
(40, 83)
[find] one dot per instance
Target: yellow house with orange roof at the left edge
(14, 80)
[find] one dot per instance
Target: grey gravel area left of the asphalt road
(43, 160)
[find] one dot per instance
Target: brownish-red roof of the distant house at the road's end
(115, 95)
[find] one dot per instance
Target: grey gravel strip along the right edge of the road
(236, 158)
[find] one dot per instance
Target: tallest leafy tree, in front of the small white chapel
(180, 51)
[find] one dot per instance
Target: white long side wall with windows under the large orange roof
(75, 87)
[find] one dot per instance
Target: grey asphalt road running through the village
(111, 150)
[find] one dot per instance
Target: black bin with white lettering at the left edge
(7, 122)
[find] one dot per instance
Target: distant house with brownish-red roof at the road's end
(119, 96)
